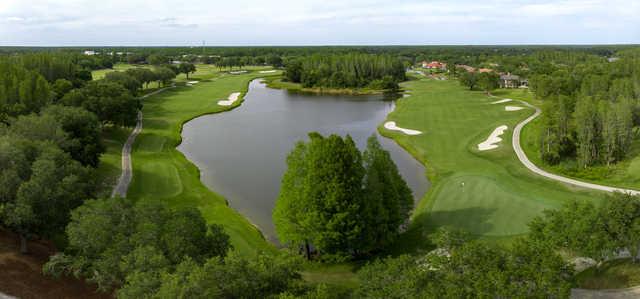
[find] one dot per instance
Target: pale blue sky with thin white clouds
(316, 22)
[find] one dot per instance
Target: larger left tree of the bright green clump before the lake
(332, 181)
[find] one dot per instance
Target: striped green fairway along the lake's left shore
(162, 173)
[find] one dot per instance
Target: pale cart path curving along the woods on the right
(527, 163)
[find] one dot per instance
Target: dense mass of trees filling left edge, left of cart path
(51, 120)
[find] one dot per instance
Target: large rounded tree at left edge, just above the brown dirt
(40, 185)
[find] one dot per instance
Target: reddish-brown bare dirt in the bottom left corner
(21, 275)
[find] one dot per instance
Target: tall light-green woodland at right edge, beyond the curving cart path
(591, 107)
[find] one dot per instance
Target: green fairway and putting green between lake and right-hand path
(488, 193)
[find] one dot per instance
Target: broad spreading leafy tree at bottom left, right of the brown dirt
(115, 243)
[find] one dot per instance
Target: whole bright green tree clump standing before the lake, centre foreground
(337, 203)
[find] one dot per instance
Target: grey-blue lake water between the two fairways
(241, 153)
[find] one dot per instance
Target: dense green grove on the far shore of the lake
(346, 71)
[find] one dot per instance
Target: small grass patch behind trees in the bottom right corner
(616, 274)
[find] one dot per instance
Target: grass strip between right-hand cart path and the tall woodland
(625, 174)
